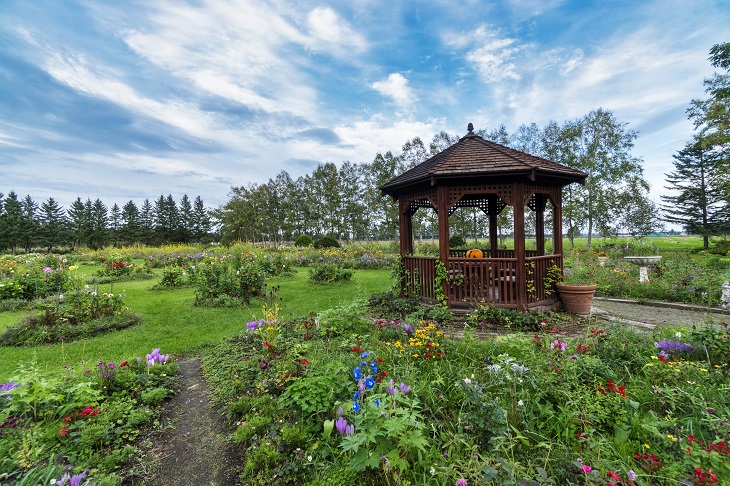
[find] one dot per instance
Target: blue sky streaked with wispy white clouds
(130, 100)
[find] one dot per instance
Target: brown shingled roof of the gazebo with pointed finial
(473, 158)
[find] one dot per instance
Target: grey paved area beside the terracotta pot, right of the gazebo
(652, 314)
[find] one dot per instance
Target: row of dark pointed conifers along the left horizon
(27, 225)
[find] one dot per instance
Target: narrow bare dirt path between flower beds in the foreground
(194, 450)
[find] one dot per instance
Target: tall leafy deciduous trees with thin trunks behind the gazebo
(346, 201)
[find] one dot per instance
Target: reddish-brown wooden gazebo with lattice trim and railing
(481, 174)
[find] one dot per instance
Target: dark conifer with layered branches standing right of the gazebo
(697, 205)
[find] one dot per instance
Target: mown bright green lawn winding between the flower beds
(172, 323)
